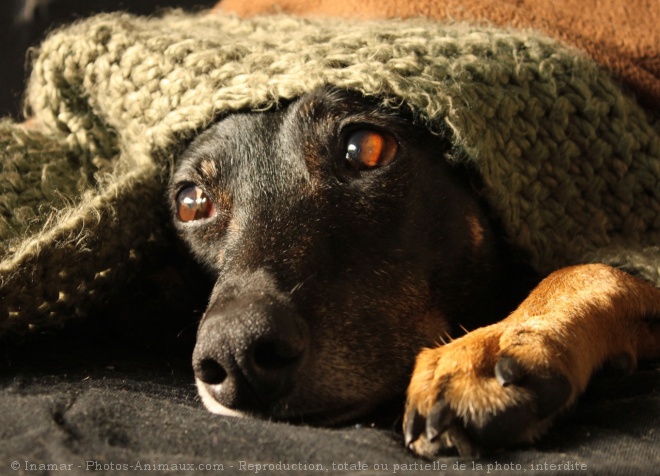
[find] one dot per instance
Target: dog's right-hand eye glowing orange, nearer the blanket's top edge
(366, 149)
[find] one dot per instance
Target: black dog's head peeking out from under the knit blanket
(342, 242)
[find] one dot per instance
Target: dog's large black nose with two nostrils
(249, 348)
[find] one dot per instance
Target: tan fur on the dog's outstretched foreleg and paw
(572, 323)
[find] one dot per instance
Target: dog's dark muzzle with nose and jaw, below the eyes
(257, 357)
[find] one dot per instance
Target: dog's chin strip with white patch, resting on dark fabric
(319, 417)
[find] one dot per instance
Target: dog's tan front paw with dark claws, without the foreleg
(493, 388)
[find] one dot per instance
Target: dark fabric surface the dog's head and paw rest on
(100, 399)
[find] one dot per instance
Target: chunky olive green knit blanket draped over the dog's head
(569, 161)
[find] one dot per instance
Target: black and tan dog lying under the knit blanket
(355, 267)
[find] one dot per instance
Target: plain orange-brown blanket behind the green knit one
(623, 35)
